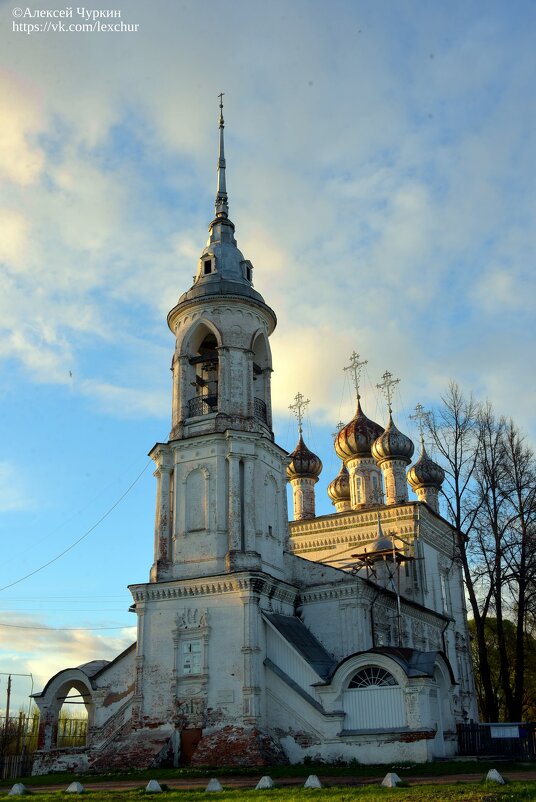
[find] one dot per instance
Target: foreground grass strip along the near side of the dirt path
(459, 792)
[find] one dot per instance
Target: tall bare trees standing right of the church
(490, 497)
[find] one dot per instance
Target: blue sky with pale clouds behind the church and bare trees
(381, 177)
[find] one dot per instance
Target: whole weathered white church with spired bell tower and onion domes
(342, 636)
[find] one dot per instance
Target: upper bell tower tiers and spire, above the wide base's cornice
(221, 498)
